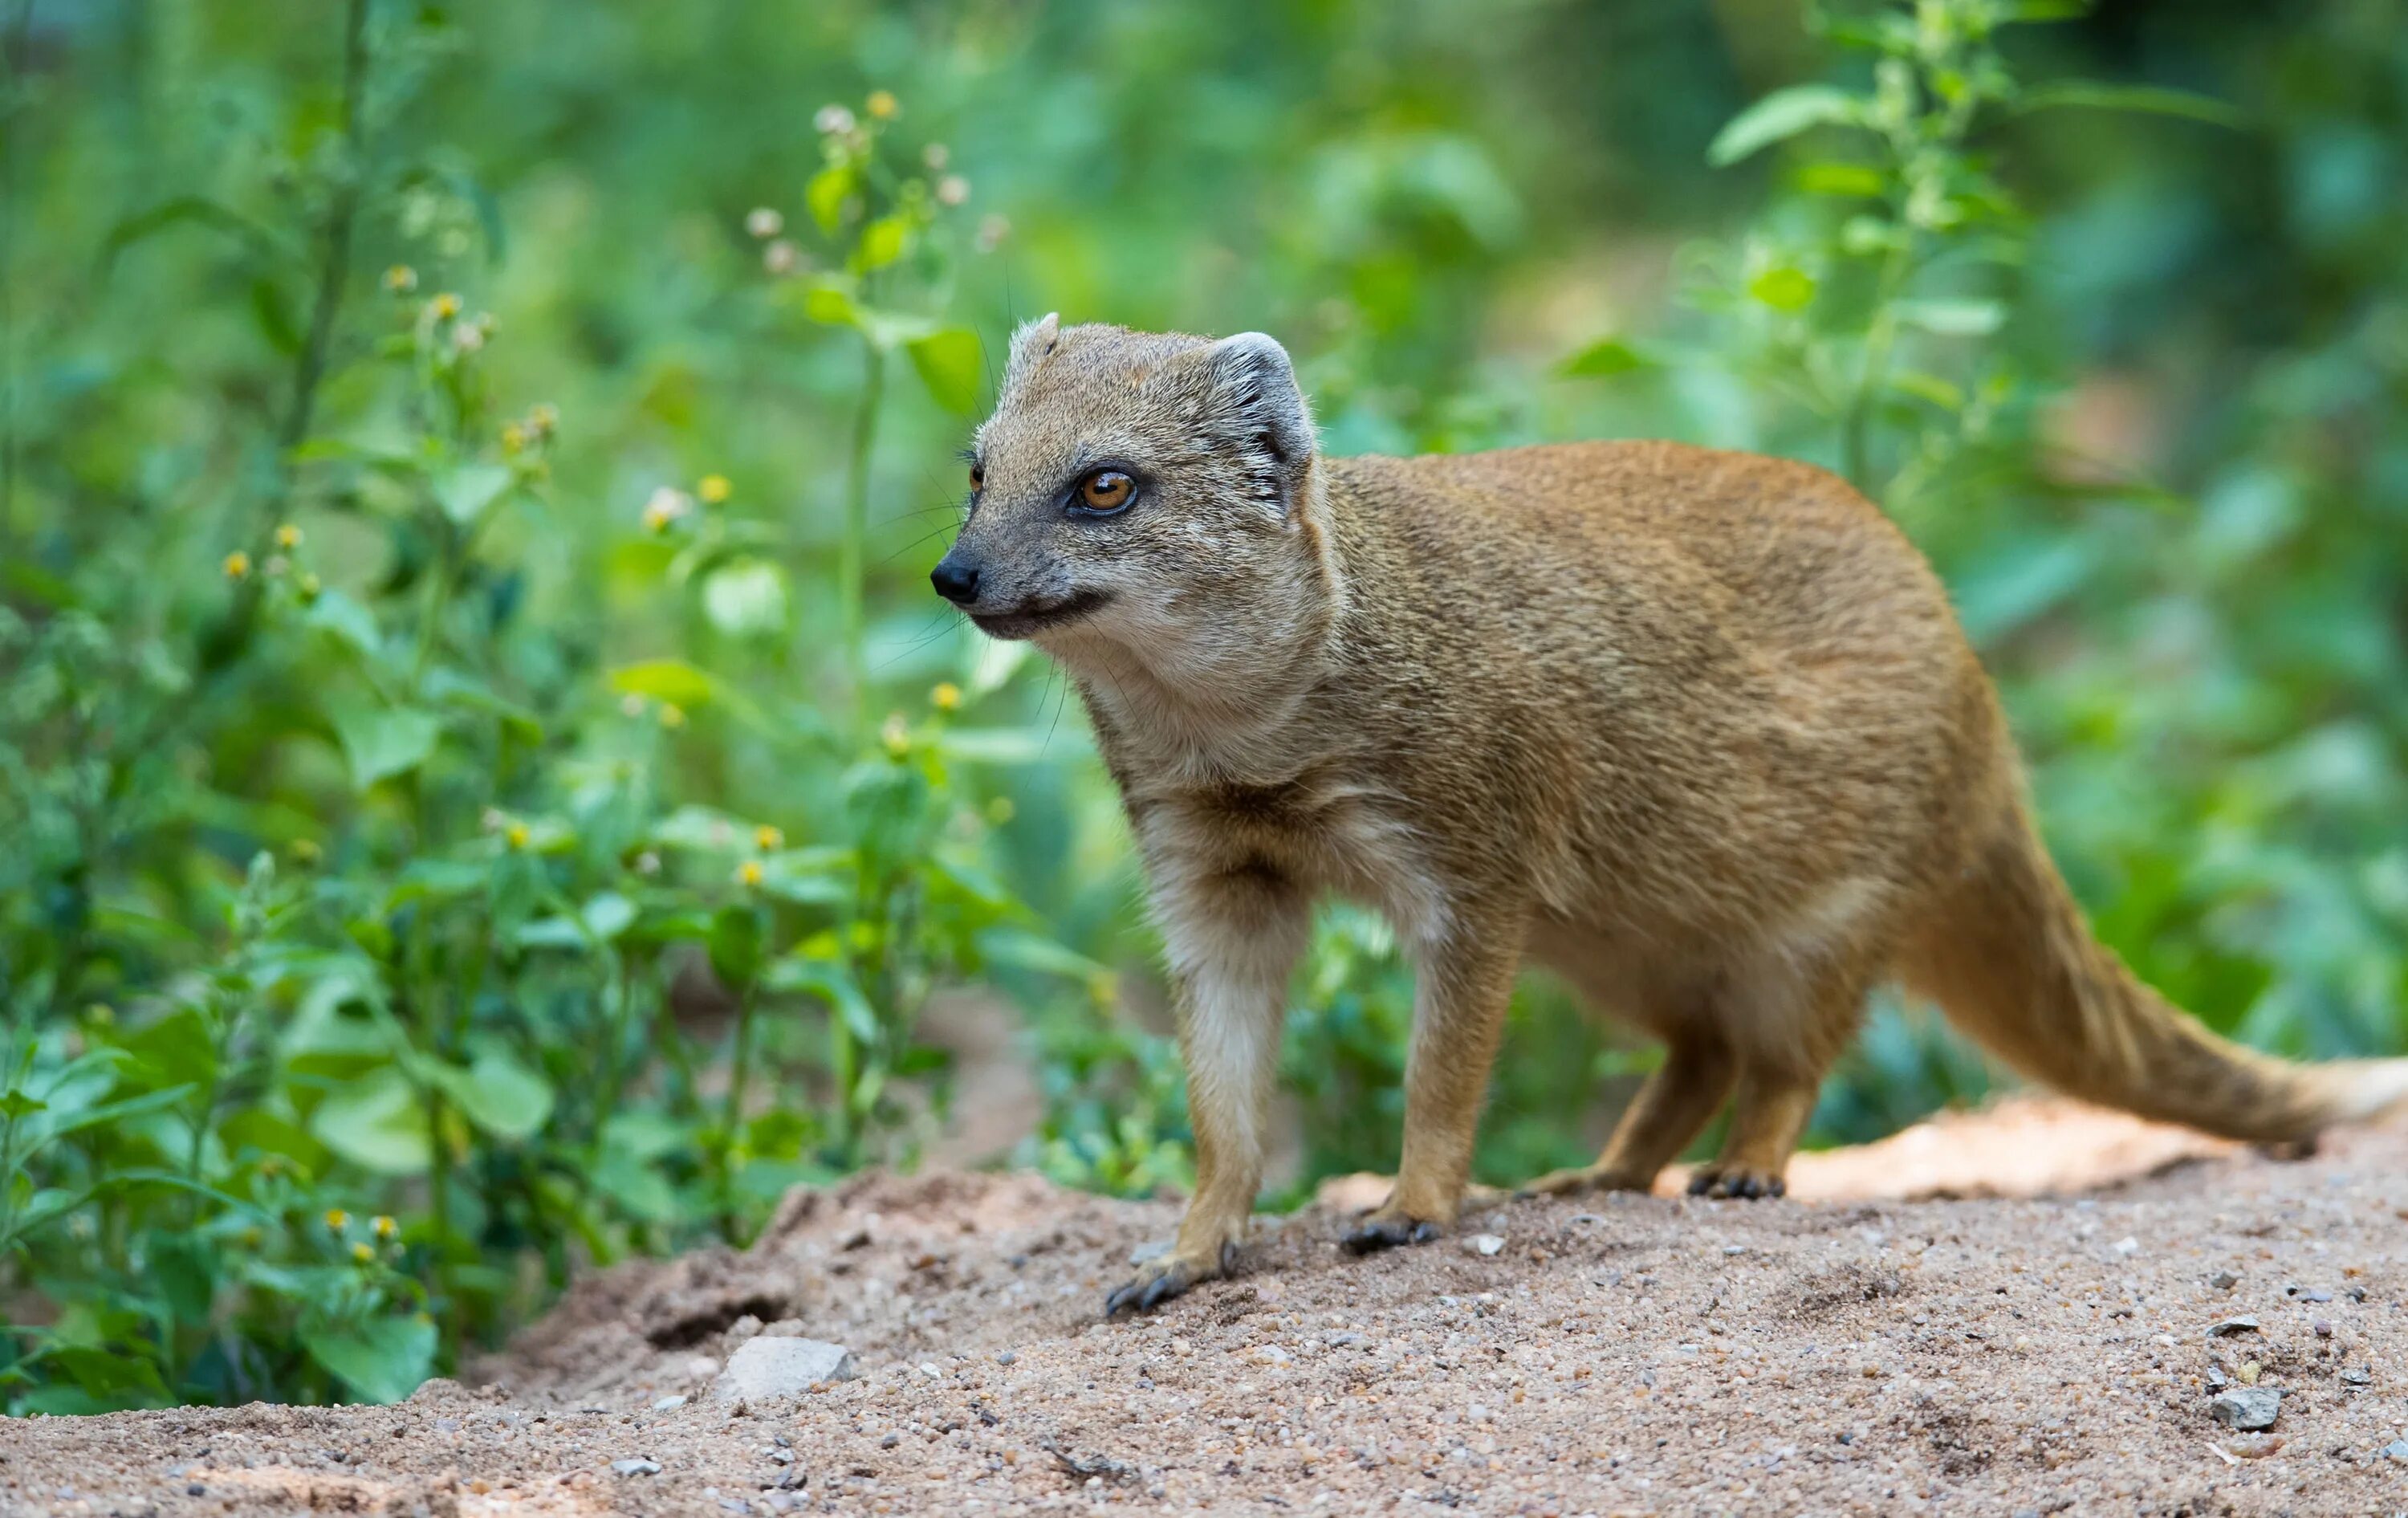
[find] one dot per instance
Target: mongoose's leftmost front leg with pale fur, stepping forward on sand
(1232, 943)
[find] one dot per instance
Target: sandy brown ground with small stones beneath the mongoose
(1834, 1353)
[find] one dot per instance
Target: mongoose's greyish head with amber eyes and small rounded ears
(1138, 493)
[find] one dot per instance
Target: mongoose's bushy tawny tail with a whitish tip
(2012, 963)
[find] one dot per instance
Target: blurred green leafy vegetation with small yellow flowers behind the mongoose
(485, 787)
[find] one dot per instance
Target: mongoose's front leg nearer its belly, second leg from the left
(1458, 1016)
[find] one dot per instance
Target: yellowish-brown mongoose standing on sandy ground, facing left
(1694, 729)
